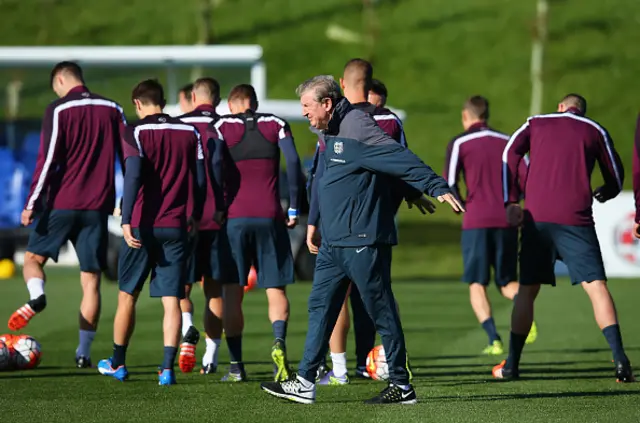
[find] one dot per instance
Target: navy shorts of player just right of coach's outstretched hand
(484, 248)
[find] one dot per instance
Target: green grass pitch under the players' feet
(567, 373)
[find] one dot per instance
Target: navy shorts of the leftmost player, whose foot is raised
(86, 229)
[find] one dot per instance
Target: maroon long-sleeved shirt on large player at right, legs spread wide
(563, 150)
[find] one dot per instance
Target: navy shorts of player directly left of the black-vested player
(210, 256)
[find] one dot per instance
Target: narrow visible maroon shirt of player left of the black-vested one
(201, 117)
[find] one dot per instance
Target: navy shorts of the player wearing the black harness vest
(264, 243)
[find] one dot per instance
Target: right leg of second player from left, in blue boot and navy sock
(167, 282)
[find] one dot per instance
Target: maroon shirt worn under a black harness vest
(254, 182)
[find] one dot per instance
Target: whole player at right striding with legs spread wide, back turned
(558, 220)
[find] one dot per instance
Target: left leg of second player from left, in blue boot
(134, 266)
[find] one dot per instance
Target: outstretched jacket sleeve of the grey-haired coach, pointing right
(381, 153)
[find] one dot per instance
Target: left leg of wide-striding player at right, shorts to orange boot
(537, 258)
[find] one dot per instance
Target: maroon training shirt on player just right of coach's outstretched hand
(477, 155)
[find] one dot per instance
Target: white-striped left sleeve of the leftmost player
(49, 145)
